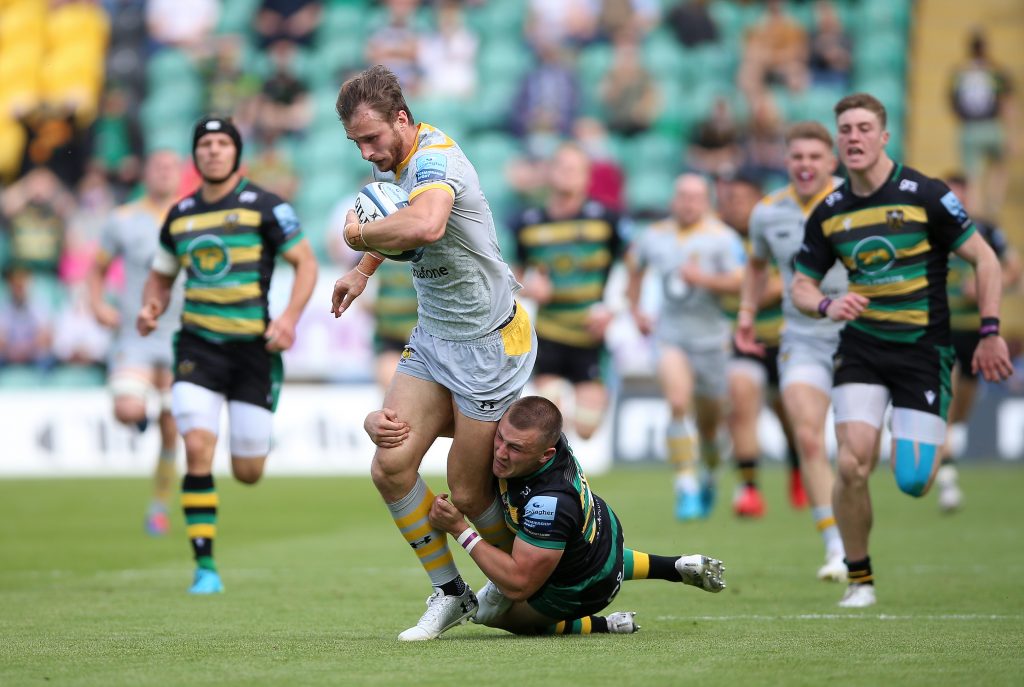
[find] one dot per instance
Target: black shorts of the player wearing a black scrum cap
(242, 371)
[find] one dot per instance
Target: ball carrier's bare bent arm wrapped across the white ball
(421, 224)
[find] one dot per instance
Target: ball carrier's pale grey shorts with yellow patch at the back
(485, 375)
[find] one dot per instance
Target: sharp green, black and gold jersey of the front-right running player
(895, 245)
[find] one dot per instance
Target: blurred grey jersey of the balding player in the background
(690, 316)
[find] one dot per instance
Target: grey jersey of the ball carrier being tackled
(464, 288)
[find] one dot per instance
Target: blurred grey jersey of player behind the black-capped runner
(134, 234)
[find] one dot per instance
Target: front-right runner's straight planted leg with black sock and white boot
(860, 410)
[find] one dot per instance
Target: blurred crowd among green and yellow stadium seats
(90, 88)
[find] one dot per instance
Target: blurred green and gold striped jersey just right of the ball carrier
(577, 253)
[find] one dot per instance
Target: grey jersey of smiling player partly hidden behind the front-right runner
(777, 234)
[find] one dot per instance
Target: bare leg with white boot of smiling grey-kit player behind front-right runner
(807, 407)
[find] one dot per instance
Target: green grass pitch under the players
(319, 585)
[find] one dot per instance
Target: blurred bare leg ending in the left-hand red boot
(747, 380)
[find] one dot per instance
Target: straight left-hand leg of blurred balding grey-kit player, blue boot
(676, 379)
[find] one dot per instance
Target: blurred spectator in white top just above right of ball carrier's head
(448, 56)
